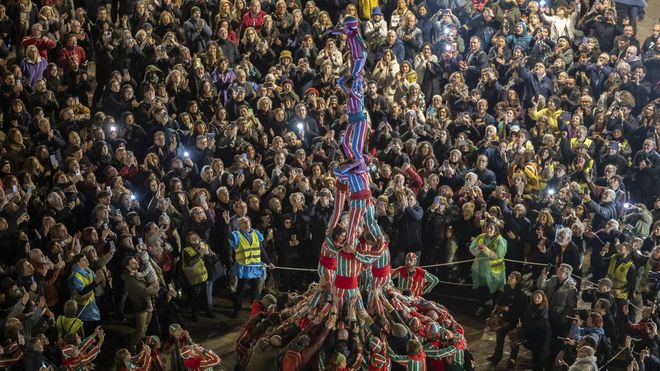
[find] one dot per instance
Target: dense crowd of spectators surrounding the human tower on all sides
(150, 149)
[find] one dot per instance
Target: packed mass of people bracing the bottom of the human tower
(368, 333)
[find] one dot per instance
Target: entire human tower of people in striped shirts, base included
(354, 265)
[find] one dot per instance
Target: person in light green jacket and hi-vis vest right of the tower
(488, 270)
